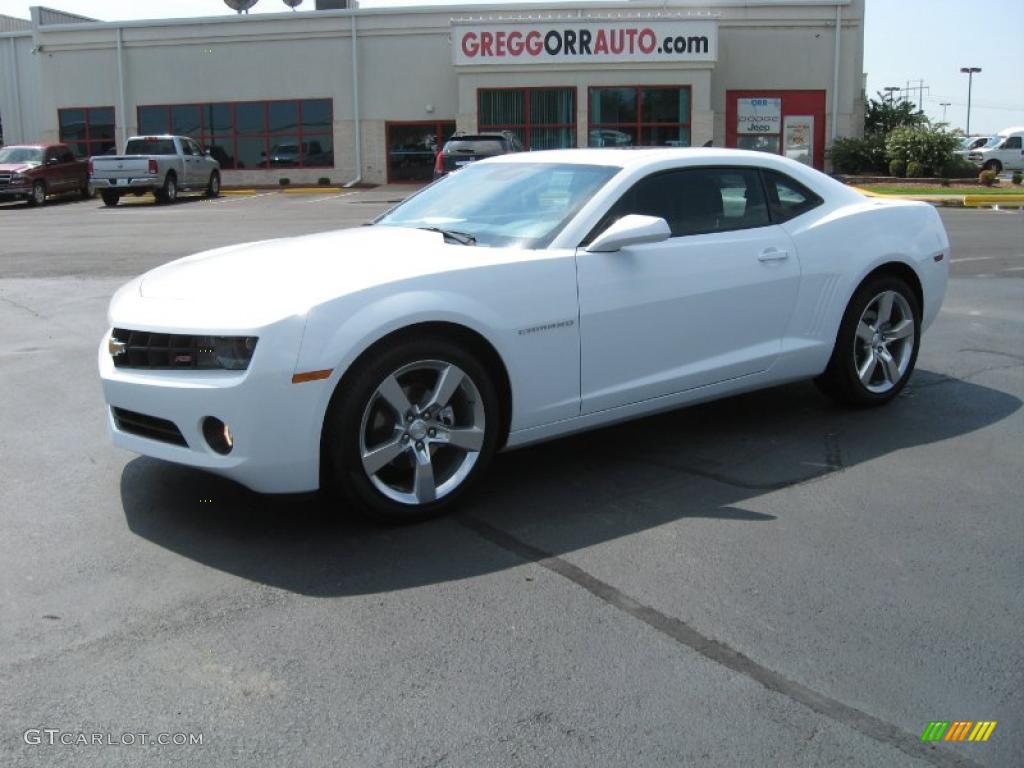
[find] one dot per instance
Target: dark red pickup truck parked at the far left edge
(33, 172)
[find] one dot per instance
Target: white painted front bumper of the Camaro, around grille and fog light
(276, 424)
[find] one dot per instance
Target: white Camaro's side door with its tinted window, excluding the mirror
(709, 305)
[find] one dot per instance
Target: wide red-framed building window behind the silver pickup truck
(252, 135)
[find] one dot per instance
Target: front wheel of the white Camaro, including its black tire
(418, 474)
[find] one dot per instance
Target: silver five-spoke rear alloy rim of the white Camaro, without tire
(884, 345)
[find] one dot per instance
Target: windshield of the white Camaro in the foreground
(523, 205)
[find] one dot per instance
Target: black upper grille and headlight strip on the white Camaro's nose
(178, 352)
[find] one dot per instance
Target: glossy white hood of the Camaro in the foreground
(259, 283)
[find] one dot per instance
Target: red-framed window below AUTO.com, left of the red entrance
(642, 116)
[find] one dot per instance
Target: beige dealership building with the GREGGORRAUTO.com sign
(371, 94)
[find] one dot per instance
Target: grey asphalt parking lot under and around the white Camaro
(770, 580)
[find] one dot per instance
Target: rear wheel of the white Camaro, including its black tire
(872, 362)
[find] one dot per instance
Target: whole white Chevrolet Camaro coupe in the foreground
(522, 298)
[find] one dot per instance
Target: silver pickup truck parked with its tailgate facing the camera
(163, 165)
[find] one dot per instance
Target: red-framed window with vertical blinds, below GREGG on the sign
(542, 118)
